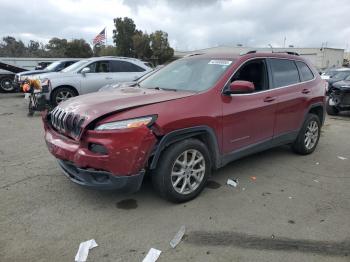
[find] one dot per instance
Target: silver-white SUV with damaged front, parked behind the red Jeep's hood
(89, 75)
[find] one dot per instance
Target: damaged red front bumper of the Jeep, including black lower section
(103, 160)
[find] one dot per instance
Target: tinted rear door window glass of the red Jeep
(284, 72)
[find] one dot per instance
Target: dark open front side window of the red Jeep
(255, 72)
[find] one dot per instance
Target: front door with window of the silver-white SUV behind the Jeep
(98, 76)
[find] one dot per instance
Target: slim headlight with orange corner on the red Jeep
(129, 123)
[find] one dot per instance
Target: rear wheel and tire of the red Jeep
(308, 136)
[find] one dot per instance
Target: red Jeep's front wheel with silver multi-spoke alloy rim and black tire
(182, 171)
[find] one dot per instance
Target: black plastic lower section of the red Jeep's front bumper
(101, 179)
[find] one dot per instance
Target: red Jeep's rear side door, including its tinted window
(290, 96)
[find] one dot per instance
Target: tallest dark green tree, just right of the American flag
(122, 36)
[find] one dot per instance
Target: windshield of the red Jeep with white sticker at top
(188, 75)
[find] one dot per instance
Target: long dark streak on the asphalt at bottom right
(273, 243)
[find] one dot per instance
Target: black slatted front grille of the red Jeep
(66, 123)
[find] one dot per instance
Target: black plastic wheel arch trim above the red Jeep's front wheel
(203, 133)
